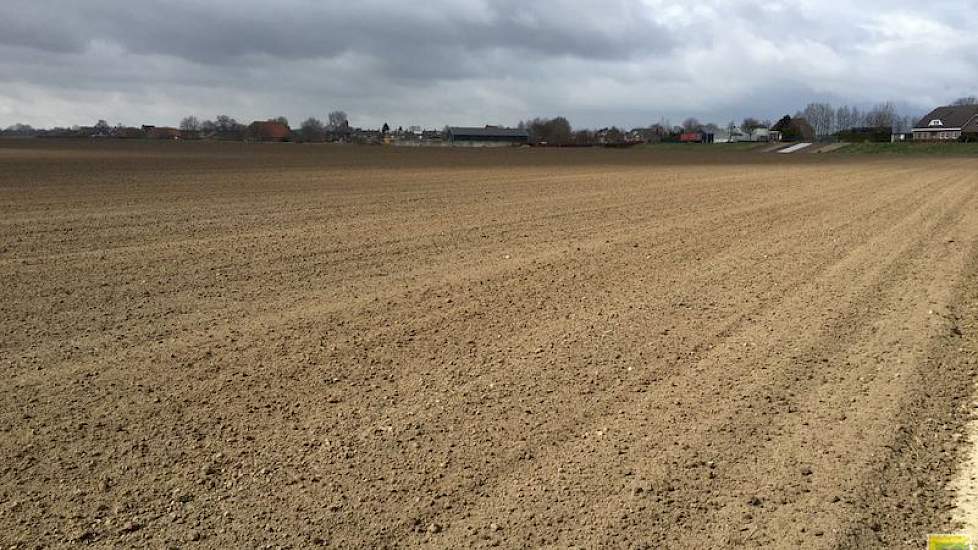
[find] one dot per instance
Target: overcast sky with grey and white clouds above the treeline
(472, 62)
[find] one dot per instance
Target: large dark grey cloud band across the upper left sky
(219, 31)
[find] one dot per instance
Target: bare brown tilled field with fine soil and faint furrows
(223, 345)
